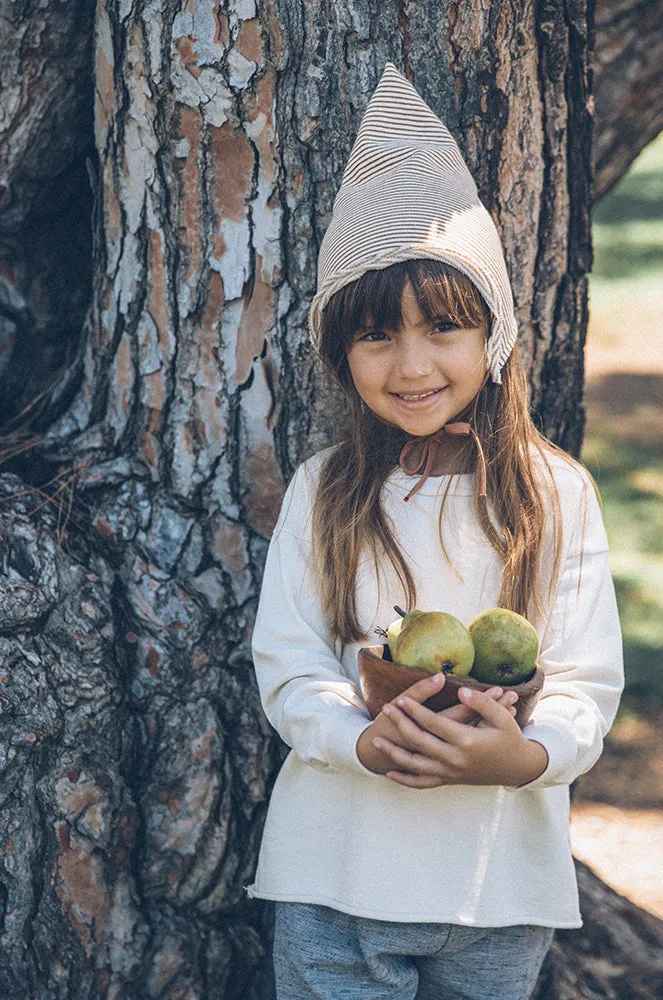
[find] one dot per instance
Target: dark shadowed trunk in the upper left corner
(45, 195)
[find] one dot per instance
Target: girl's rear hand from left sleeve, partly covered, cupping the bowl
(384, 728)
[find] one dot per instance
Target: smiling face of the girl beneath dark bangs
(419, 377)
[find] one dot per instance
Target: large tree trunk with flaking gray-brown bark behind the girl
(136, 761)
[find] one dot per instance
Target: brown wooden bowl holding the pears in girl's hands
(383, 680)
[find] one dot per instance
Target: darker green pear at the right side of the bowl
(506, 647)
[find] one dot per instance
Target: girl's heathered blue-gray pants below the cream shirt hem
(322, 954)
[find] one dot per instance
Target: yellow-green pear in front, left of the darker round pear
(435, 641)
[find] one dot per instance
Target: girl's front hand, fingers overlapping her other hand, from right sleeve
(432, 749)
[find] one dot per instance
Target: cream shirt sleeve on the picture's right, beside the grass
(581, 648)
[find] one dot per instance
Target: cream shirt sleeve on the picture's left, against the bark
(307, 698)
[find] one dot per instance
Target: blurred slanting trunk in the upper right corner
(628, 83)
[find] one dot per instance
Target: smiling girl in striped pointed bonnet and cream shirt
(425, 854)
